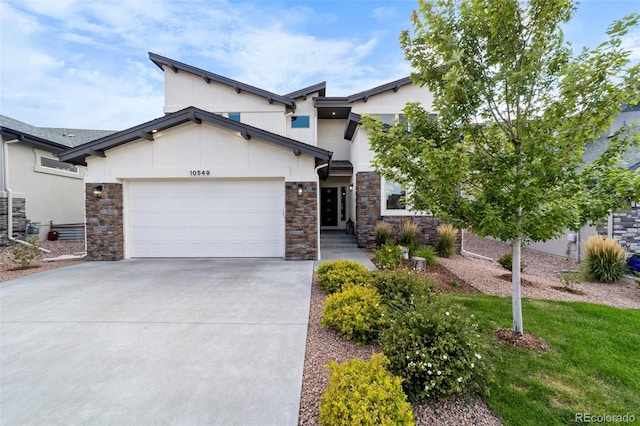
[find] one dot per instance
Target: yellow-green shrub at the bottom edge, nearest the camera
(364, 393)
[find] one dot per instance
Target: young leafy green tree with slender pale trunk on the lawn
(516, 109)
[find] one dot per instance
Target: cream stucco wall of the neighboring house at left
(47, 194)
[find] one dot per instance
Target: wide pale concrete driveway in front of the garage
(155, 342)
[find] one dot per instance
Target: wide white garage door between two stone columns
(206, 218)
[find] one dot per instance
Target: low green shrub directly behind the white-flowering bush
(401, 288)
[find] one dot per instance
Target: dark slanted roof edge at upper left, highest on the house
(207, 76)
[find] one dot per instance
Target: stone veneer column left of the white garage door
(105, 233)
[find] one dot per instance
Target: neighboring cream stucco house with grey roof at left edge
(35, 185)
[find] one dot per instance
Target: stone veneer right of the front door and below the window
(368, 204)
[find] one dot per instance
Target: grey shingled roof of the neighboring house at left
(54, 139)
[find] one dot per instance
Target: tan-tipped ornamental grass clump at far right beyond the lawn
(605, 260)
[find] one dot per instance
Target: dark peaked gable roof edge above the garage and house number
(146, 130)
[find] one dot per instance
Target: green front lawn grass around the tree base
(593, 365)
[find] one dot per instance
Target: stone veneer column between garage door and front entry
(301, 221)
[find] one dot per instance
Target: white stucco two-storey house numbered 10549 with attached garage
(232, 170)
